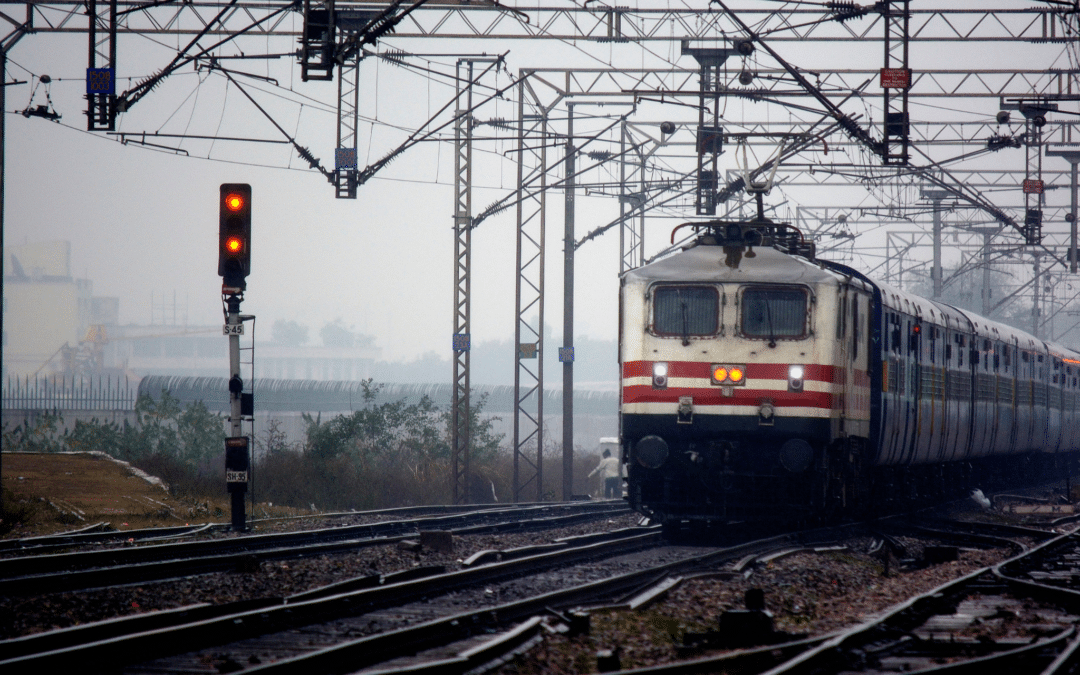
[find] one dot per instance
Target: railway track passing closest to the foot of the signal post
(66, 572)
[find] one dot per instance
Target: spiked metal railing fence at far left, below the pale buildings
(71, 394)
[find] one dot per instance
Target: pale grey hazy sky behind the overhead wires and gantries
(143, 224)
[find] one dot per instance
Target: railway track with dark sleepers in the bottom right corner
(1019, 617)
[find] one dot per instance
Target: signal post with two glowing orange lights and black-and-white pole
(234, 264)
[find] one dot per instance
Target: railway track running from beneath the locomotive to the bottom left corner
(393, 617)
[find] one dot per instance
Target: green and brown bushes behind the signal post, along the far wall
(384, 455)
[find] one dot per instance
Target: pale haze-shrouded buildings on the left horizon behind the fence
(55, 327)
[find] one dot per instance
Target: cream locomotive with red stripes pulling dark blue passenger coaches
(760, 382)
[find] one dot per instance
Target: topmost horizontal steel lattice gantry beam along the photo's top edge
(1049, 23)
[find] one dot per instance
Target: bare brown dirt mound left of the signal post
(67, 492)
